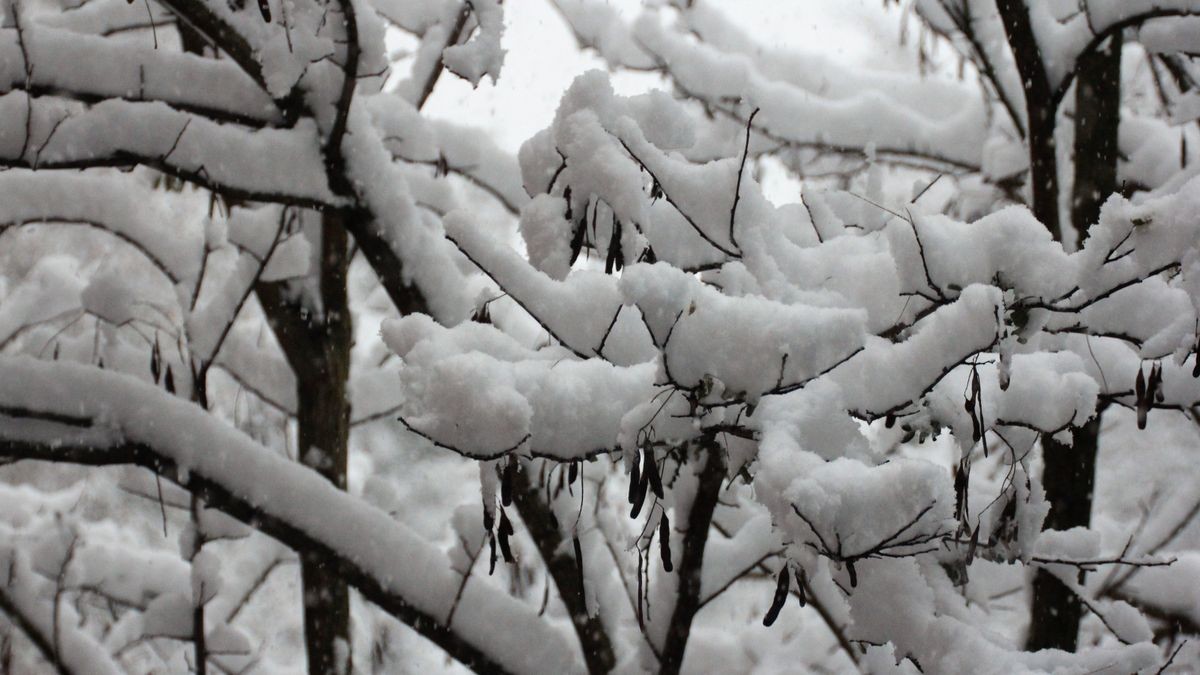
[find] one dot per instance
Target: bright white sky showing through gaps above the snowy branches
(543, 57)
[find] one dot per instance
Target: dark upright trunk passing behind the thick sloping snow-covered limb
(317, 345)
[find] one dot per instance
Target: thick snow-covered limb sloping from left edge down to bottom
(391, 565)
